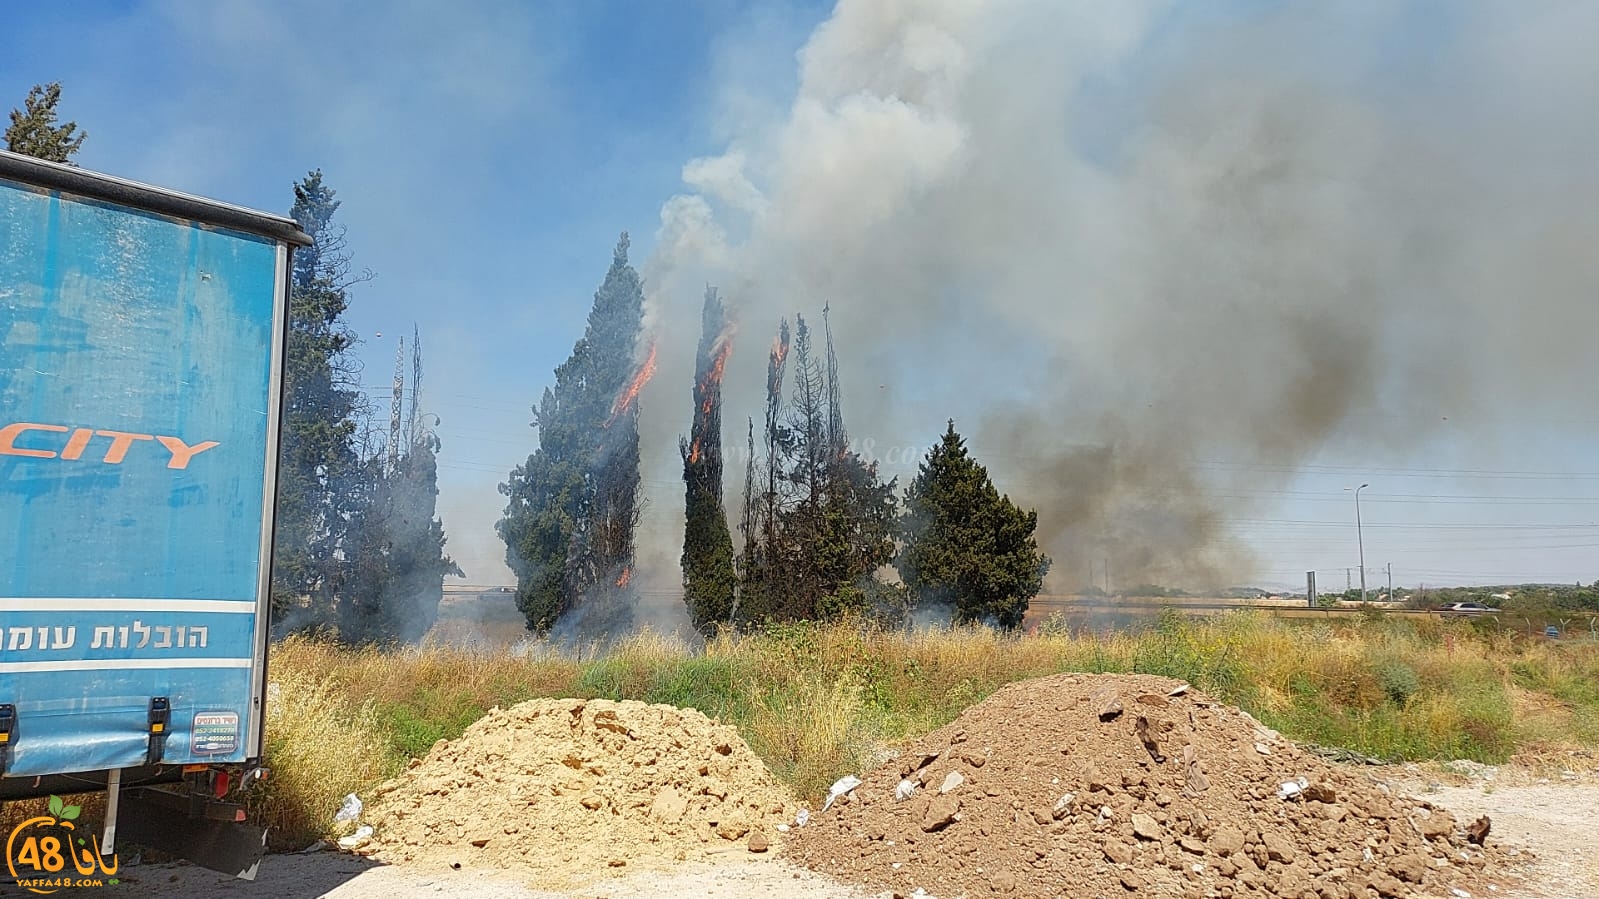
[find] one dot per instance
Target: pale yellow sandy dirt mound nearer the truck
(567, 789)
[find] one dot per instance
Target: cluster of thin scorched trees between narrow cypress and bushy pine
(824, 522)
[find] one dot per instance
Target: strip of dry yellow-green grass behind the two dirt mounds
(818, 703)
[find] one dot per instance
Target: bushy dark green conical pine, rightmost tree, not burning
(967, 546)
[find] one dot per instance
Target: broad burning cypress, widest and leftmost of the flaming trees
(573, 506)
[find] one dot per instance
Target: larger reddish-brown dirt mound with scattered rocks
(1117, 785)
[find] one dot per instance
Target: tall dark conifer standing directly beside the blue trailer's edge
(321, 476)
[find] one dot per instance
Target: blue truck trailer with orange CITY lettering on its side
(142, 366)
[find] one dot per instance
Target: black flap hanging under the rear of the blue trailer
(205, 833)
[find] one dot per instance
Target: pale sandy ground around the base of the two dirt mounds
(1558, 820)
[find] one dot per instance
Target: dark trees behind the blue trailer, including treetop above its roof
(359, 549)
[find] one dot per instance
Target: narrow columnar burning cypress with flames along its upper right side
(709, 581)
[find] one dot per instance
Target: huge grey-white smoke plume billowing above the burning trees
(1120, 241)
